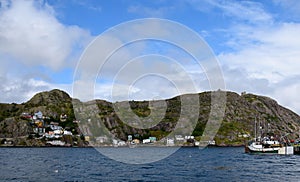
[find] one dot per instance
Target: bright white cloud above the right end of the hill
(271, 53)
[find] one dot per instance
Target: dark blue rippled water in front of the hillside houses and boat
(187, 164)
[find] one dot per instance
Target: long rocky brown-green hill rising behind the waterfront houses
(237, 125)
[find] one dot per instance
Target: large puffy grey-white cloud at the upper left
(30, 33)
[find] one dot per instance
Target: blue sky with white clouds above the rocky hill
(256, 43)
